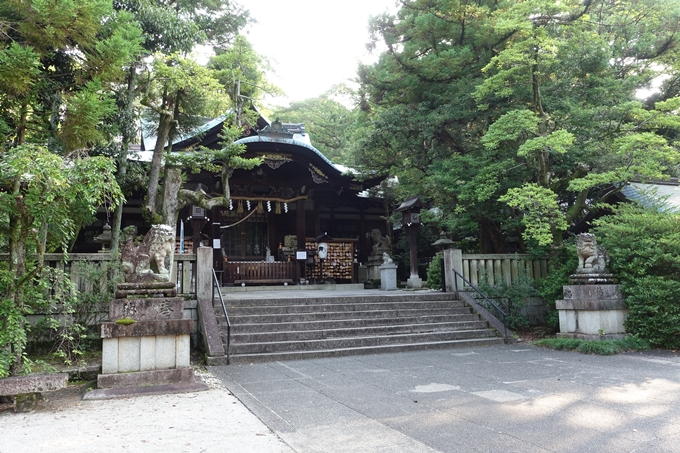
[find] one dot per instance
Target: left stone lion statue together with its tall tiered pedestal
(146, 343)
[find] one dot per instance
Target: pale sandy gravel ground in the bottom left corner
(209, 421)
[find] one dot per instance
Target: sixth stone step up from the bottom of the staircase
(339, 307)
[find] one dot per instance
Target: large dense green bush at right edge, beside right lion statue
(643, 244)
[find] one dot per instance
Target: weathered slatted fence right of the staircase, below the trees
(499, 269)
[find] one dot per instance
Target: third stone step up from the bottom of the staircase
(303, 335)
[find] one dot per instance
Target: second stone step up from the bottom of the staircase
(358, 342)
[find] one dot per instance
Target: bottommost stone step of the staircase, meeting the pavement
(340, 352)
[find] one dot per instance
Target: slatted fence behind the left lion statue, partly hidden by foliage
(183, 269)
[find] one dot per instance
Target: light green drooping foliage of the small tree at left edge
(45, 197)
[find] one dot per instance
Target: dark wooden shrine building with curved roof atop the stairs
(280, 211)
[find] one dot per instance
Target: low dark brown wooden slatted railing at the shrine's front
(259, 272)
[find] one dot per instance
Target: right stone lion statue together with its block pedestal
(592, 308)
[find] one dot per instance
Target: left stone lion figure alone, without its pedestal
(158, 243)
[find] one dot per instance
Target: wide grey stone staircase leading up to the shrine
(288, 328)
